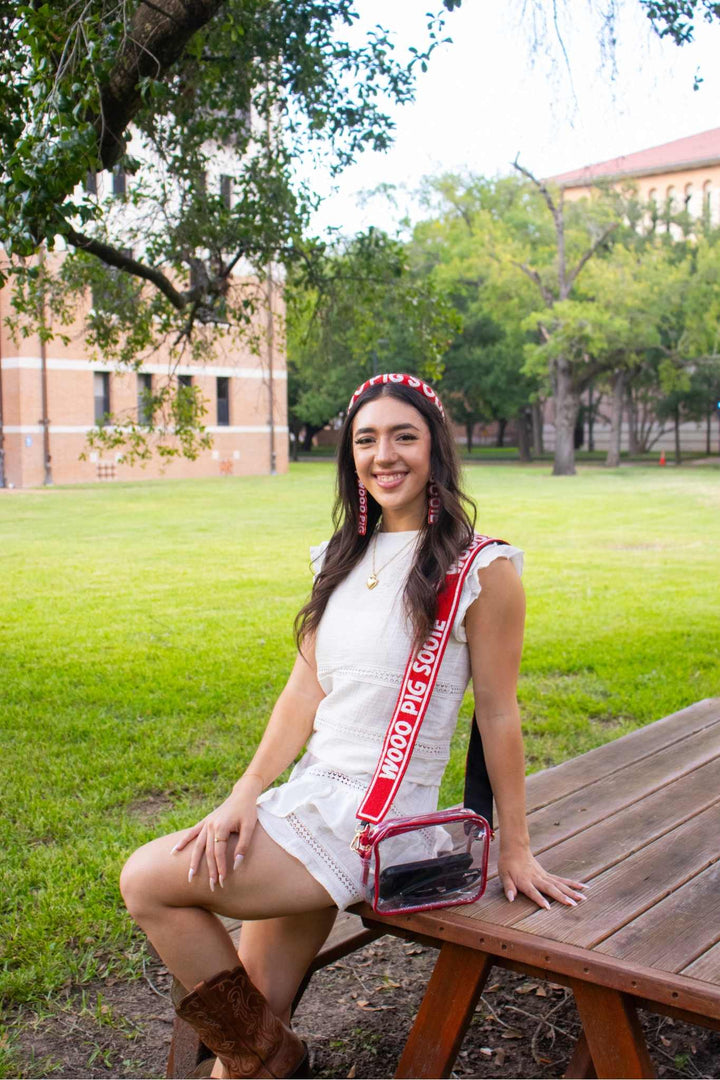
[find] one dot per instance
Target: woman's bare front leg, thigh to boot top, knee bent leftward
(178, 916)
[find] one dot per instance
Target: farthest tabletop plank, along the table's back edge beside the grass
(572, 776)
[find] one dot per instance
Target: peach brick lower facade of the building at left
(249, 437)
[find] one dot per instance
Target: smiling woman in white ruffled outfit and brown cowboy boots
(282, 861)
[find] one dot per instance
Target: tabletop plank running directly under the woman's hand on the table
(589, 854)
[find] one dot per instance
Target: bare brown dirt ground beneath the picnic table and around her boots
(356, 1018)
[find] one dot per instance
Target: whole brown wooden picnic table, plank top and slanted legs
(637, 819)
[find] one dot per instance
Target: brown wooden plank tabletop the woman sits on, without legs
(640, 821)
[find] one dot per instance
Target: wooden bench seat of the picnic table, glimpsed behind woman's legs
(187, 1054)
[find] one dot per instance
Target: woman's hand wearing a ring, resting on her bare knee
(237, 815)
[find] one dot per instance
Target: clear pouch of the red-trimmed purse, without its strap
(424, 862)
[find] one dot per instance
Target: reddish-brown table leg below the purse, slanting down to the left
(445, 1014)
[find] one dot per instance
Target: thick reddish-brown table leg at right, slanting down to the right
(614, 1033)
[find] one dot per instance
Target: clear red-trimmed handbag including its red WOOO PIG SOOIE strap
(426, 861)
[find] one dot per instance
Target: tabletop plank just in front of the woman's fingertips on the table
(630, 888)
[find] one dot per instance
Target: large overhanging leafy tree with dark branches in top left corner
(198, 111)
